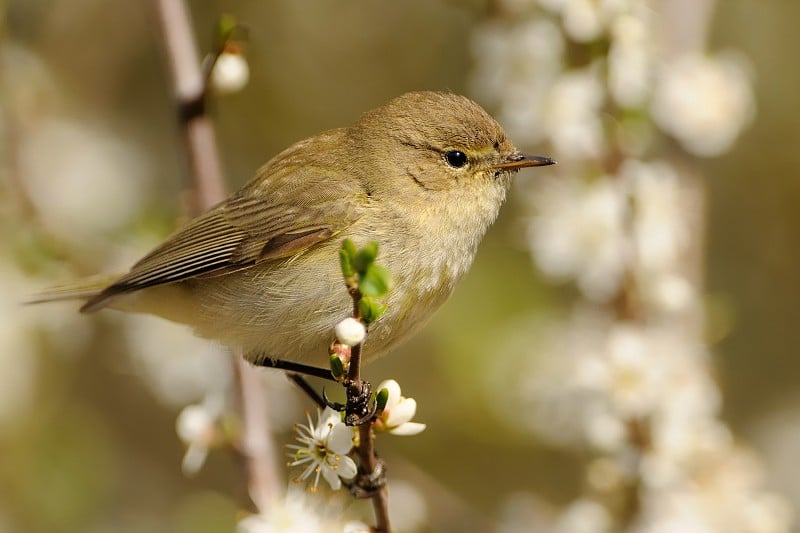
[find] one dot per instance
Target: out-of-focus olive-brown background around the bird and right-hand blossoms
(92, 175)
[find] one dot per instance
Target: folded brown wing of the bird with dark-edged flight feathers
(287, 209)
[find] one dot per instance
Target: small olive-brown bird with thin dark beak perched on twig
(424, 176)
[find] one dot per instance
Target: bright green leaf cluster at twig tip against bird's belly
(367, 279)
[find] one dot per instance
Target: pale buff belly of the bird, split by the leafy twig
(288, 310)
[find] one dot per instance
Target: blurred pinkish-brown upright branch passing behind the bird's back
(190, 89)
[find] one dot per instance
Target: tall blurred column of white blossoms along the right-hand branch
(629, 377)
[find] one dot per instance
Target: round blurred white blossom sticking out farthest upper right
(703, 101)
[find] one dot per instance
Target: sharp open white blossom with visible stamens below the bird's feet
(323, 450)
